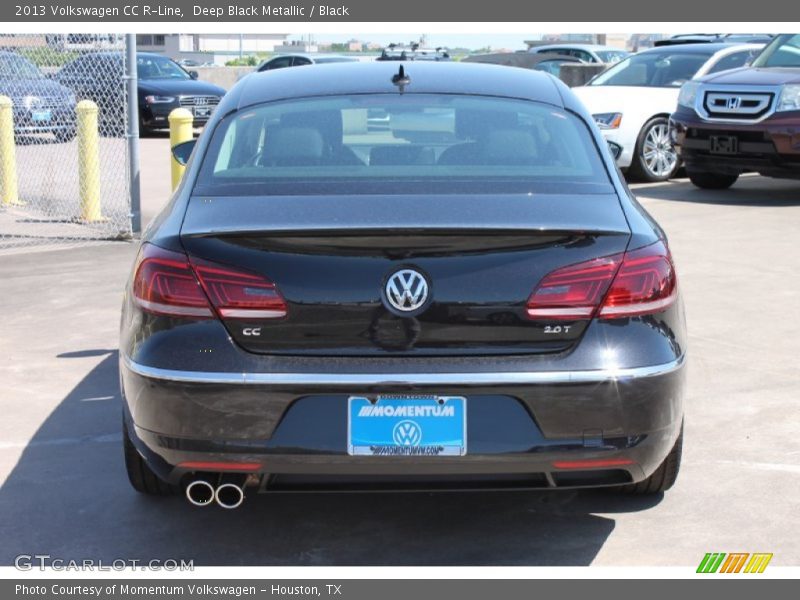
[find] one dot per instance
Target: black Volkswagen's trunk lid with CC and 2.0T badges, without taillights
(331, 257)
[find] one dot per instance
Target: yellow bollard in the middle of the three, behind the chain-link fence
(89, 161)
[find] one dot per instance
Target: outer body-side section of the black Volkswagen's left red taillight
(165, 285)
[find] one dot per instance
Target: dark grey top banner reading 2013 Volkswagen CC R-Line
(121, 11)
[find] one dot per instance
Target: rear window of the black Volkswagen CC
(401, 143)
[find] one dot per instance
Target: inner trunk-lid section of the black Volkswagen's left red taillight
(239, 295)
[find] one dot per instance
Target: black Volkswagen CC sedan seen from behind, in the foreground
(461, 293)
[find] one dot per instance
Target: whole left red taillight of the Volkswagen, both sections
(168, 283)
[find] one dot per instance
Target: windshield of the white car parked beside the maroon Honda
(654, 69)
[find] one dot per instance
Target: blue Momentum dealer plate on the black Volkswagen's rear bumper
(407, 426)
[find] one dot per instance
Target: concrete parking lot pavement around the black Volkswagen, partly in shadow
(64, 491)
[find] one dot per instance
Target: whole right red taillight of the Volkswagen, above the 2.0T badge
(639, 282)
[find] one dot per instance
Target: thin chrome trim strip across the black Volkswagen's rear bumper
(360, 379)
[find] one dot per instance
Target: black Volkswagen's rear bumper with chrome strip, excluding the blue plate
(520, 424)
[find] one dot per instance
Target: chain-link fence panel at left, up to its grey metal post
(67, 160)
